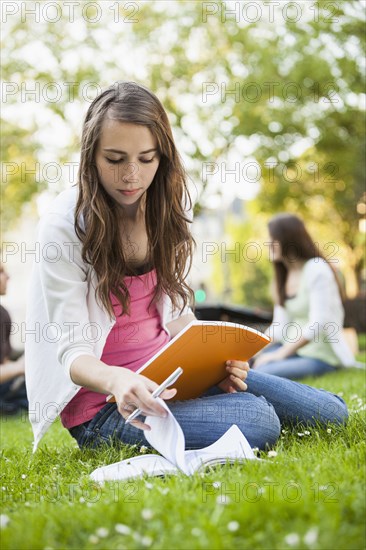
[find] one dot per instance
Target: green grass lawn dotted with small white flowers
(310, 495)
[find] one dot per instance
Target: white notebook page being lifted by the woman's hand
(166, 436)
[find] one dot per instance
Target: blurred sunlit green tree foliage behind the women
(279, 89)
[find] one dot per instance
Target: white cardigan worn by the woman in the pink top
(63, 318)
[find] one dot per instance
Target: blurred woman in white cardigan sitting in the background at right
(308, 313)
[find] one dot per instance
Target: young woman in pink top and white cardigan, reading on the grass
(110, 290)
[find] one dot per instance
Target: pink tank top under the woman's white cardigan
(133, 340)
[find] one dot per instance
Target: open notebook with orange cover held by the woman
(201, 349)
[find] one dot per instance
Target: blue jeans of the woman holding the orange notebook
(258, 412)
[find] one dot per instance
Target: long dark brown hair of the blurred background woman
(296, 244)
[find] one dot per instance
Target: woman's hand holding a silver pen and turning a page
(134, 391)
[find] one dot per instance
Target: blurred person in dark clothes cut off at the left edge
(13, 395)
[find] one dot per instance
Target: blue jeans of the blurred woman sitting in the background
(294, 367)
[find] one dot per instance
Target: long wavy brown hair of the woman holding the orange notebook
(170, 243)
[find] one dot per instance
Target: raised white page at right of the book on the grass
(232, 445)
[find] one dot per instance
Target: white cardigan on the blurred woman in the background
(326, 313)
